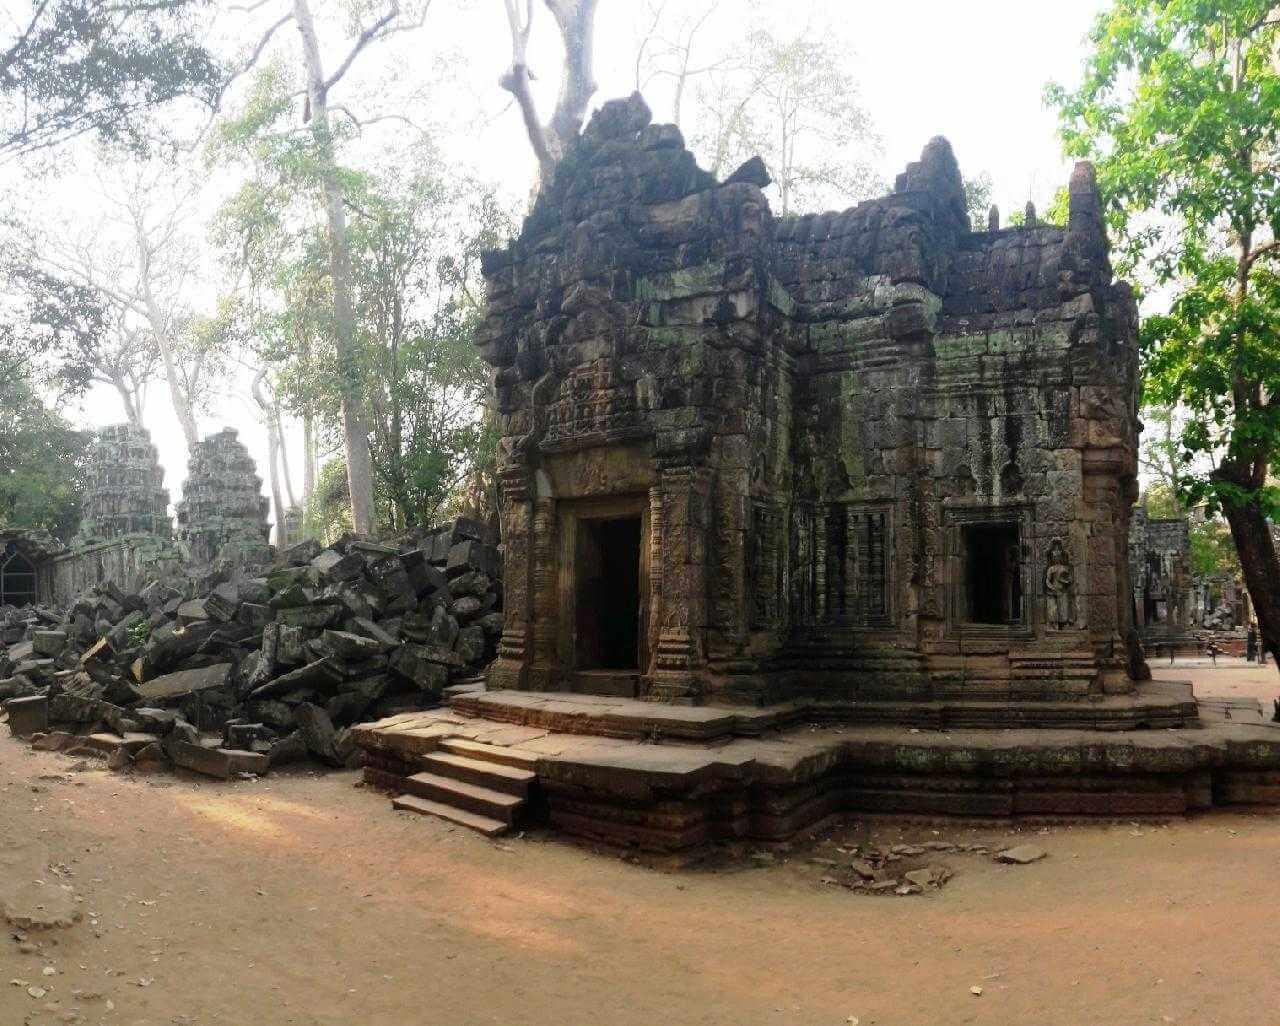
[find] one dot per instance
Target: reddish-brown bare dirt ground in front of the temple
(307, 900)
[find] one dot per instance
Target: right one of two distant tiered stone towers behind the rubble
(223, 512)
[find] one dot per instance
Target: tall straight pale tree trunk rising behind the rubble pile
(360, 473)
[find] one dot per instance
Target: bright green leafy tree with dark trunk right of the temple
(1181, 109)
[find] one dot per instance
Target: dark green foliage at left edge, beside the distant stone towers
(43, 462)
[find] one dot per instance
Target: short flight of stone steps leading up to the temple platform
(478, 786)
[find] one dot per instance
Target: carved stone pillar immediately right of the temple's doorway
(680, 654)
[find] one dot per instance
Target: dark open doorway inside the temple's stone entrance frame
(609, 594)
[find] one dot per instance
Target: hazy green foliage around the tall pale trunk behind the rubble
(415, 240)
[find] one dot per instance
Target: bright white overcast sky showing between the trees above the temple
(973, 72)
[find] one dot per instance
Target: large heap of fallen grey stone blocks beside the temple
(243, 670)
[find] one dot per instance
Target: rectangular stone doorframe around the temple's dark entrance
(570, 515)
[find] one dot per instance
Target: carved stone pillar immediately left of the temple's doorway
(510, 670)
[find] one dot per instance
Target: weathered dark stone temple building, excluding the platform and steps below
(861, 455)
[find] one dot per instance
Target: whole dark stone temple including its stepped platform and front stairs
(797, 510)
